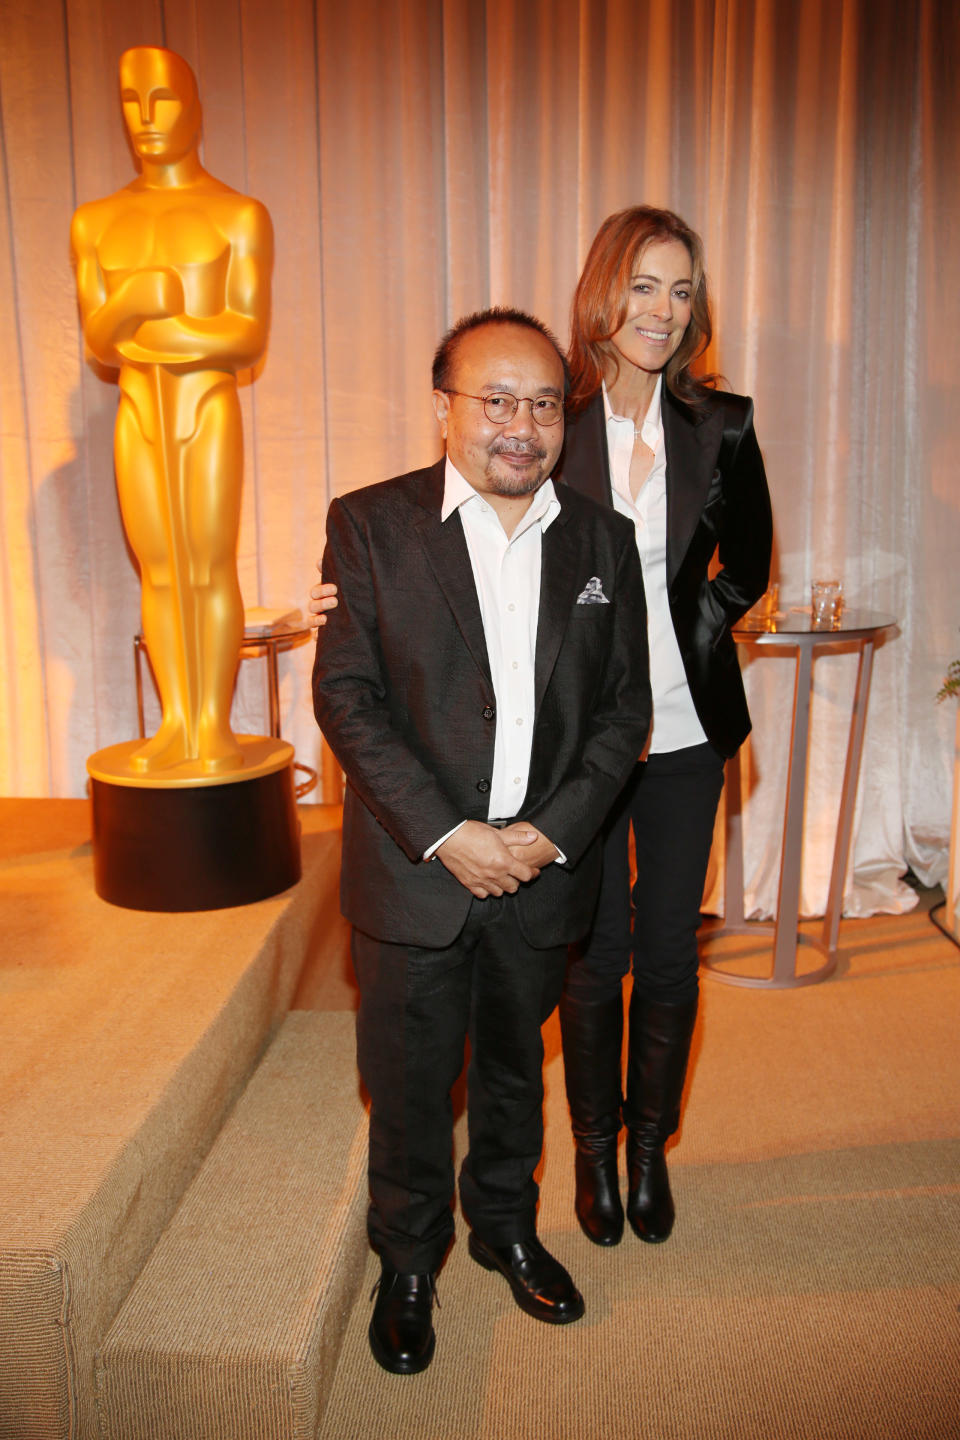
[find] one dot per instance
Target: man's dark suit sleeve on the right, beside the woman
(618, 726)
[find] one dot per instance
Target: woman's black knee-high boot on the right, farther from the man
(657, 1066)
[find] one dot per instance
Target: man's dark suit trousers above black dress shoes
(417, 1010)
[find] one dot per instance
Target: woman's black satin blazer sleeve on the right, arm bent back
(746, 536)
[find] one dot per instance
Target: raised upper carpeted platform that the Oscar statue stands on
(124, 1040)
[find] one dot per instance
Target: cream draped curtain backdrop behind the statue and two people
(431, 158)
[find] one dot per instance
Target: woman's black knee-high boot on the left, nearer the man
(592, 1040)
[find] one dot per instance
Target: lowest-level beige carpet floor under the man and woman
(812, 1287)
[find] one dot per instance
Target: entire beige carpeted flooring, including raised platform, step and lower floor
(184, 1190)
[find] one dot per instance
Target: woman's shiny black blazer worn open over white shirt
(717, 499)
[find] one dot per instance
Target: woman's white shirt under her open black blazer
(676, 722)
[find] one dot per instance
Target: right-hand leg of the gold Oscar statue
(214, 473)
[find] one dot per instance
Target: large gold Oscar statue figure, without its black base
(173, 276)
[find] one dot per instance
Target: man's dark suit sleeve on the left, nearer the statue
(352, 701)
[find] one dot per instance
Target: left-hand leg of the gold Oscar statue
(145, 506)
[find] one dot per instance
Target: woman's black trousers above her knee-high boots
(671, 803)
